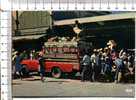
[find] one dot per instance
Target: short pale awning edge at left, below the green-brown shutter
(28, 37)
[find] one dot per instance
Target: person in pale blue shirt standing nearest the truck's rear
(86, 62)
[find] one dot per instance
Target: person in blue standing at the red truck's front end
(18, 66)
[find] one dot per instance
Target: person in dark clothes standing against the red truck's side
(42, 65)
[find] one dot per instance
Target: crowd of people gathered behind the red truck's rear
(108, 64)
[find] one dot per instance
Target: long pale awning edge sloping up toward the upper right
(119, 16)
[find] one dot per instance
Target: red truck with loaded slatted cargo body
(59, 58)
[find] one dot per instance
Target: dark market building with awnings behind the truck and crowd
(30, 29)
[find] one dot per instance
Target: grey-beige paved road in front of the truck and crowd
(68, 87)
